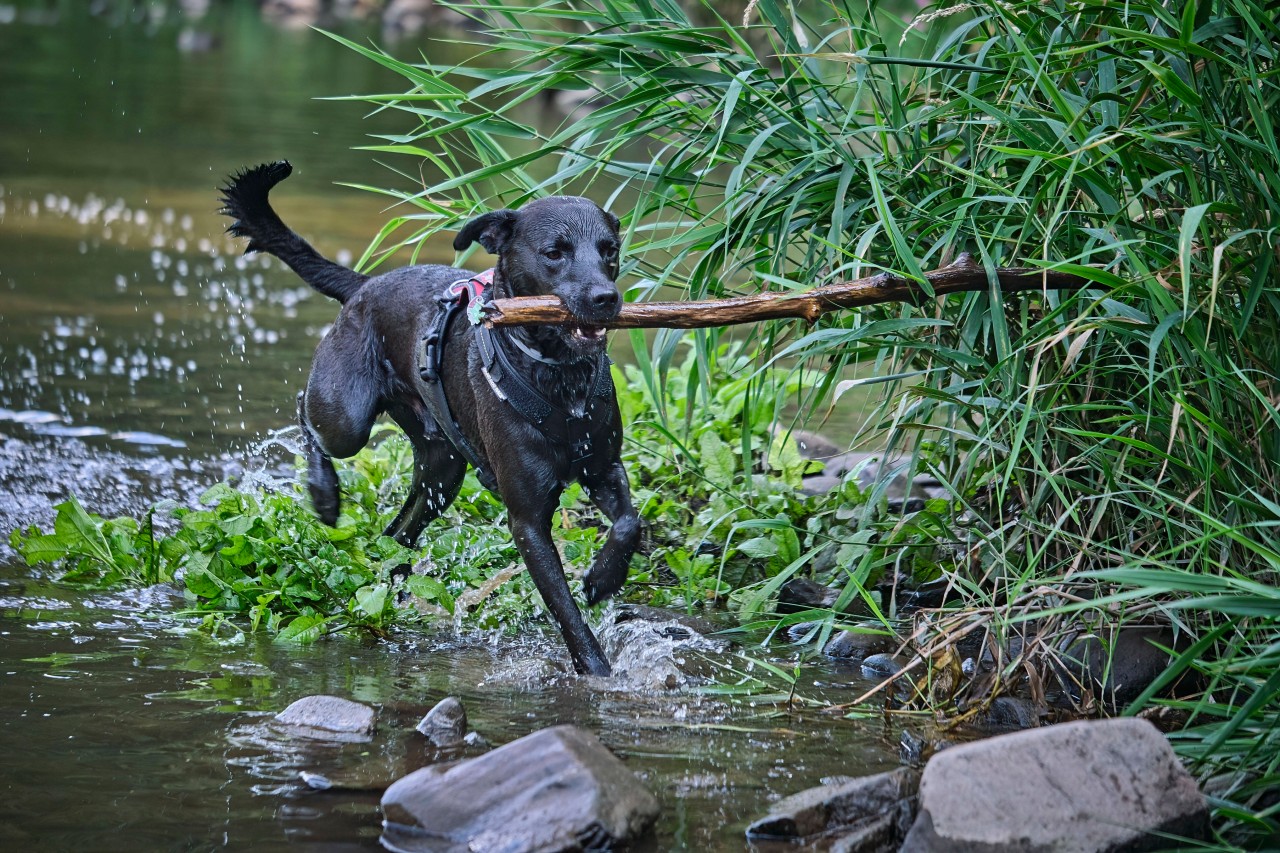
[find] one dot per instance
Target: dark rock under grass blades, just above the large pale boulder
(1118, 670)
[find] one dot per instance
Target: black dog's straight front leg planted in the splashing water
(533, 535)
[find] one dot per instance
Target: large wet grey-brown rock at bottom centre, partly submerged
(557, 790)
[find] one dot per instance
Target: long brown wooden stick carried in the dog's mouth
(964, 275)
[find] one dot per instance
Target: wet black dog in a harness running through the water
(533, 409)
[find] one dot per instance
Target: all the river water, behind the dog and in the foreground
(143, 358)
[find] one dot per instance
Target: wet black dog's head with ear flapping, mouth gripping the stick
(560, 247)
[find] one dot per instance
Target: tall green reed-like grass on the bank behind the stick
(1119, 449)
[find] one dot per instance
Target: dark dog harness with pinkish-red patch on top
(570, 428)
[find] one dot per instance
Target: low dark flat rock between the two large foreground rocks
(861, 815)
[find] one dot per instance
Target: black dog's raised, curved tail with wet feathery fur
(245, 199)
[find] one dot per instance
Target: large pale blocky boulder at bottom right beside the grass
(1078, 787)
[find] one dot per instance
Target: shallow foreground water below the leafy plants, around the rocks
(127, 729)
